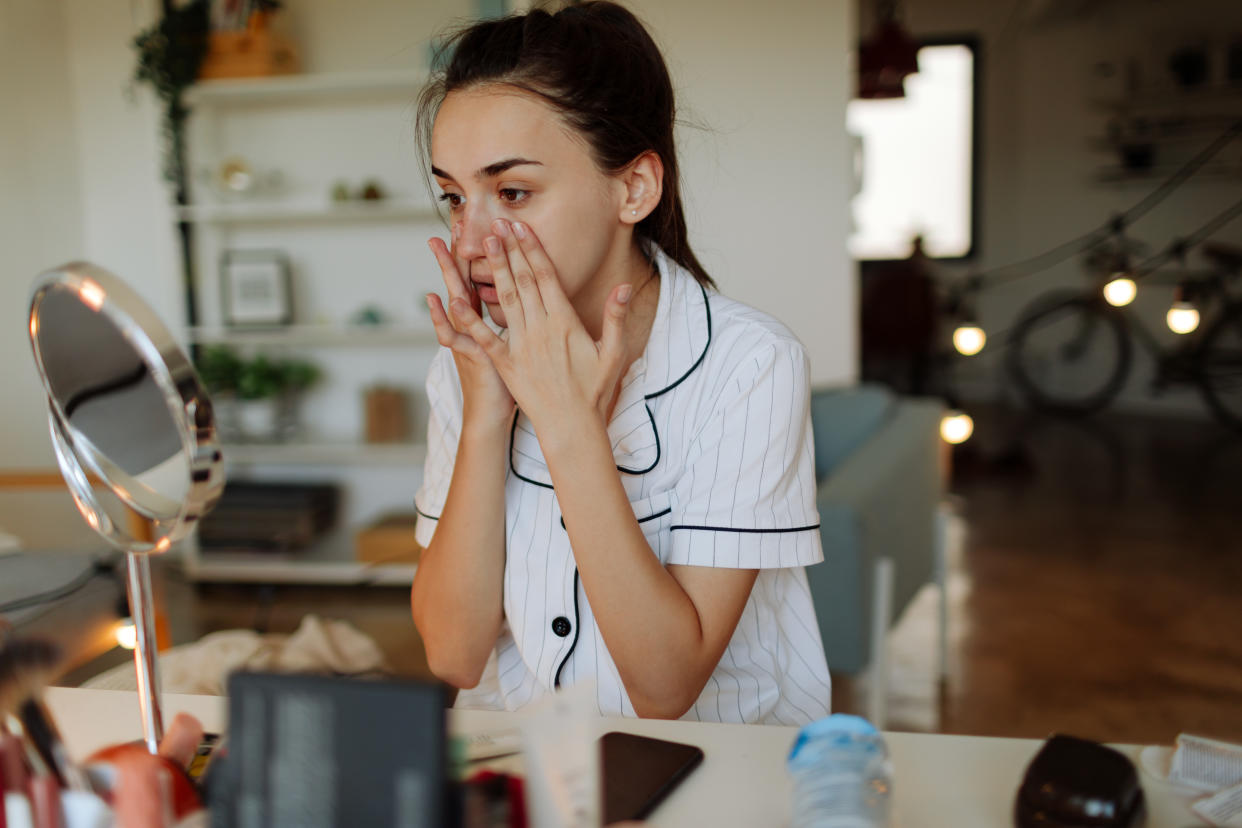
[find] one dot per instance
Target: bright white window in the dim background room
(916, 161)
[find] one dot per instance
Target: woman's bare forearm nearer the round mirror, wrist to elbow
(458, 596)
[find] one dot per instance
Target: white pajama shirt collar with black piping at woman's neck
(680, 336)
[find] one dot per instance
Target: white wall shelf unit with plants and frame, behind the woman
(316, 132)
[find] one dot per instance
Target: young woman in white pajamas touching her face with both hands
(620, 484)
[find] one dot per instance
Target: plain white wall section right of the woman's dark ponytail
(767, 178)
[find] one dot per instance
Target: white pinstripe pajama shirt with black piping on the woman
(712, 439)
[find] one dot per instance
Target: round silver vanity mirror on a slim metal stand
(132, 429)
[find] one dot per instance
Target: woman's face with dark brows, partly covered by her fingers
(502, 153)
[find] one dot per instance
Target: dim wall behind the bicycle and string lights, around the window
(1038, 164)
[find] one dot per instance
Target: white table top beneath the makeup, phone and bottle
(951, 781)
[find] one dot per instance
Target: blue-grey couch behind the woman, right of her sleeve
(879, 464)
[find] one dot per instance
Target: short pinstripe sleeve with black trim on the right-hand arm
(747, 497)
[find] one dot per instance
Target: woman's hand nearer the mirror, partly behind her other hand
(486, 399)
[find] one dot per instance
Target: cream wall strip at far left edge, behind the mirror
(40, 207)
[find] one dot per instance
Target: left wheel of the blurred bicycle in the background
(1070, 354)
